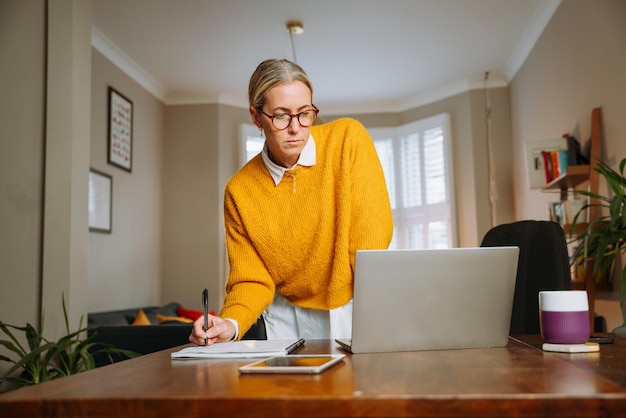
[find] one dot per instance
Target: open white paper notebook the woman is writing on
(240, 349)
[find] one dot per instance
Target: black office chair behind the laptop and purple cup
(543, 265)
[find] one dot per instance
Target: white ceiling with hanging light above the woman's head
(362, 55)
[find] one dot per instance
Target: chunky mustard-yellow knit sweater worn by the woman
(298, 238)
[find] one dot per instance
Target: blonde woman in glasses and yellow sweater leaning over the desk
(296, 214)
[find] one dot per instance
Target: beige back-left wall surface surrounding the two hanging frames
(125, 265)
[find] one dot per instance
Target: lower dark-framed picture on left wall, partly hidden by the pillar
(100, 201)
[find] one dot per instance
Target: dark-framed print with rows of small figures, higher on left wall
(120, 130)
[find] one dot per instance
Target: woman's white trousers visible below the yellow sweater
(285, 321)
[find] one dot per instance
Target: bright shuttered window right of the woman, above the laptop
(416, 160)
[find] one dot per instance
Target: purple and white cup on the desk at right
(564, 316)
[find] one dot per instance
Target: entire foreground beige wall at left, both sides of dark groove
(44, 152)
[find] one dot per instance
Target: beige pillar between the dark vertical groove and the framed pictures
(68, 94)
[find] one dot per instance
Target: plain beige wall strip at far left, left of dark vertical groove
(22, 117)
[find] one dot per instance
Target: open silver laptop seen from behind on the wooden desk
(409, 300)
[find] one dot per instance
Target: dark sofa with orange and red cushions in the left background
(114, 327)
